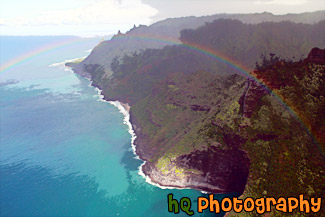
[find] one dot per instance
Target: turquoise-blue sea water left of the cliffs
(63, 152)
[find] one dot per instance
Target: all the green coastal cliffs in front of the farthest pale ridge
(202, 124)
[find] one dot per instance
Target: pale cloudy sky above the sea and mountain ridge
(106, 17)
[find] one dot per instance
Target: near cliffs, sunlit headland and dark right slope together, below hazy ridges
(210, 132)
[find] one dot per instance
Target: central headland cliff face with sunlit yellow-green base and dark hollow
(181, 139)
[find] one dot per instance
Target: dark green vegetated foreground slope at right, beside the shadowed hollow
(292, 163)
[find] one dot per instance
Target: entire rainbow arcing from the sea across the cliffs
(238, 66)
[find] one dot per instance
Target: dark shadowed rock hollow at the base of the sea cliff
(227, 169)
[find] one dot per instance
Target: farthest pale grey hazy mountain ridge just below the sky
(167, 32)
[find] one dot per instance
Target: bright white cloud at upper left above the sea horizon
(99, 12)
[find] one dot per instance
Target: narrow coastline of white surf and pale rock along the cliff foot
(151, 175)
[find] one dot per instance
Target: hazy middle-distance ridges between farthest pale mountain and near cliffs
(134, 76)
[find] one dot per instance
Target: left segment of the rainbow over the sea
(38, 51)
